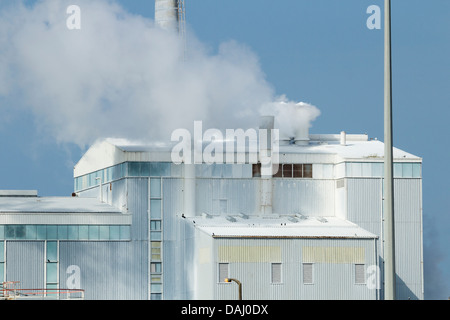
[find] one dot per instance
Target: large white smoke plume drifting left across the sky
(120, 76)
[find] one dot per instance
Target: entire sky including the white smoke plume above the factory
(61, 89)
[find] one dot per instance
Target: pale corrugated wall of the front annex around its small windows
(331, 280)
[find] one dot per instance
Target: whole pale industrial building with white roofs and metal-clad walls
(140, 226)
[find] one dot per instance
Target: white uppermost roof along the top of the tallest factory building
(324, 147)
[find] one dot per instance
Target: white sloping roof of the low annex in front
(275, 226)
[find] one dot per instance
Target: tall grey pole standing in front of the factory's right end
(389, 241)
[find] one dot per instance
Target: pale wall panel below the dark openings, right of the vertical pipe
(306, 196)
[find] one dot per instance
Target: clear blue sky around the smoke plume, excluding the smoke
(320, 52)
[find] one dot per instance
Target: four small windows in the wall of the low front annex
(307, 273)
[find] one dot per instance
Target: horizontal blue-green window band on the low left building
(64, 232)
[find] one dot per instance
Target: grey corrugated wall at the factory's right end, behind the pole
(364, 201)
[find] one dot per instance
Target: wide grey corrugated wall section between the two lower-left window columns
(108, 270)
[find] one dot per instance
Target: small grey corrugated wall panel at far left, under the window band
(25, 262)
